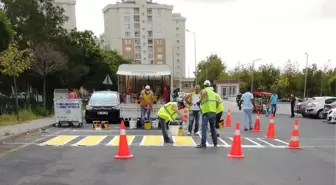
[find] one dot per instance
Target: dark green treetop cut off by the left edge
(6, 32)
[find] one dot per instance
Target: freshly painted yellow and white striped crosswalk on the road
(155, 140)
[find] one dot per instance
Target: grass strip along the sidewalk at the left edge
(24, 115)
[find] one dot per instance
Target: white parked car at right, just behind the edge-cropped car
(315, 108)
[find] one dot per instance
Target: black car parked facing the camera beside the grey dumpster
(103, 106)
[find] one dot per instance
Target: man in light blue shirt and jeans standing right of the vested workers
(248, 104)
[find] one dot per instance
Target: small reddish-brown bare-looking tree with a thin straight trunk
(47, 60)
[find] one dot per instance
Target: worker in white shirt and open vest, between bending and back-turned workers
(192, 100)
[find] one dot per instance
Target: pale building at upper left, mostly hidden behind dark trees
(69, 7)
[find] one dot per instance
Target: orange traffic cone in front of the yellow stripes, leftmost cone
(123, 150)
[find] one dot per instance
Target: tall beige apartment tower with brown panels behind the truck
(146, 32)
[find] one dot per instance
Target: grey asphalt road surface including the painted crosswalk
(82, 156)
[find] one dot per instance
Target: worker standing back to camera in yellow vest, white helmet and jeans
(208, 108)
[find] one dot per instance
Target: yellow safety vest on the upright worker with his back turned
(209, 103)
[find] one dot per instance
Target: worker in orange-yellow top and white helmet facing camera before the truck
(146, 102)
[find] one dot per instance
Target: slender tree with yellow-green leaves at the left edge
(13, 62)
